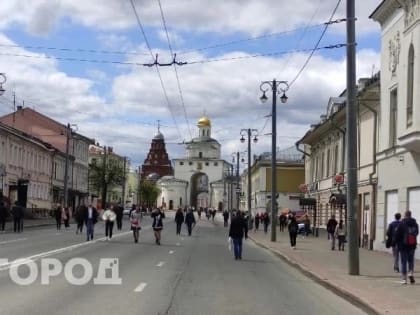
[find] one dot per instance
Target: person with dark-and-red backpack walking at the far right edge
(406, 237)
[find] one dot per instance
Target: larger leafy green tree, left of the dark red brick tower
(105, 175)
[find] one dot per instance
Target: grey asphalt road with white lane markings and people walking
(194, 275)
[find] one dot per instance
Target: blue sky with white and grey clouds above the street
(82, 62)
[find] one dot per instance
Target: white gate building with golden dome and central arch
(200, 178)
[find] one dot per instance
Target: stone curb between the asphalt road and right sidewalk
(345, 294)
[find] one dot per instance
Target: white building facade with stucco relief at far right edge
(398, 158)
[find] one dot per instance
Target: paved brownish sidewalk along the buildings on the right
(376, 290)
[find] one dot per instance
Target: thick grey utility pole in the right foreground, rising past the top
(351, 135)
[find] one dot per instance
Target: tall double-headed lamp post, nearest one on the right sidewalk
(276, 87)
